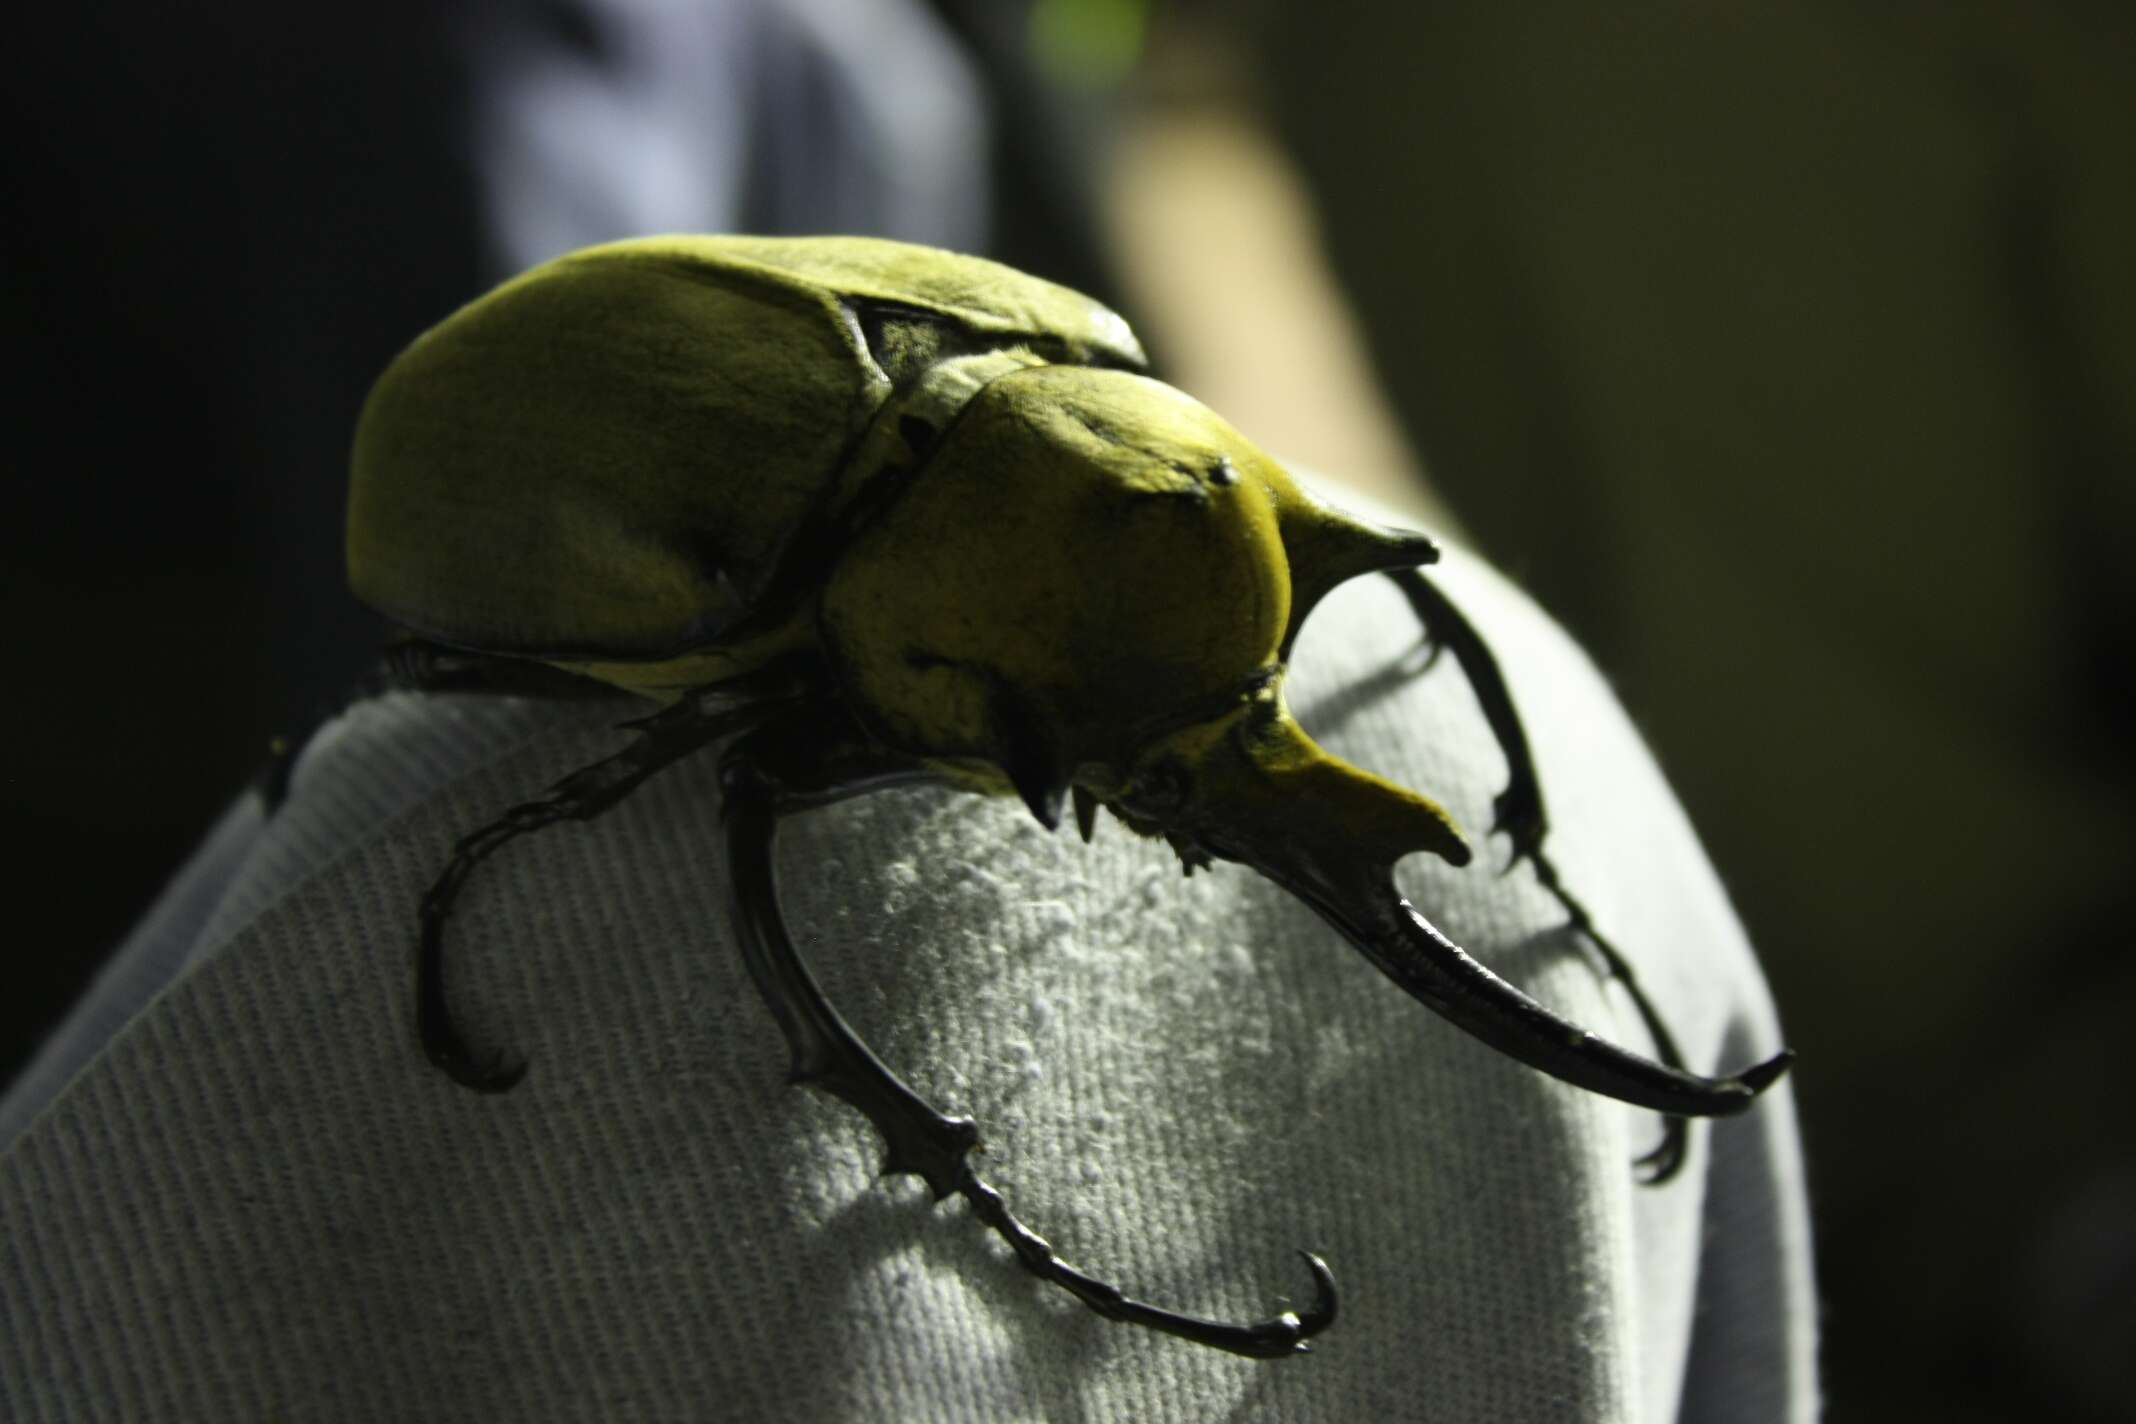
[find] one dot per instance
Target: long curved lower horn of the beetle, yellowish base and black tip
(1332, 836)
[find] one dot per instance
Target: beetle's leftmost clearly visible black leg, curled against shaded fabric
(663, 740)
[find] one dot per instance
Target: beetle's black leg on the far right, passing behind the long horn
(1522, 814)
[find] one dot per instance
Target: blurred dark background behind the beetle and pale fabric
(1787, 351)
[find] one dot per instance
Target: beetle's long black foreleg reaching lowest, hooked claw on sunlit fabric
(922, 1139)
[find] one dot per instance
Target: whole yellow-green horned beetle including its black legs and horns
(862, 513)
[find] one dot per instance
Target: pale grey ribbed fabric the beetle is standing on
(257, 1199)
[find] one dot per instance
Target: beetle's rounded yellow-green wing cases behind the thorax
(610, 458)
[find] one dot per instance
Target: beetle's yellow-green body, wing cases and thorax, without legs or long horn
(667, 460)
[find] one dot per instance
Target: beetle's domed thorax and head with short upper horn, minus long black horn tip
(1095, 584)
